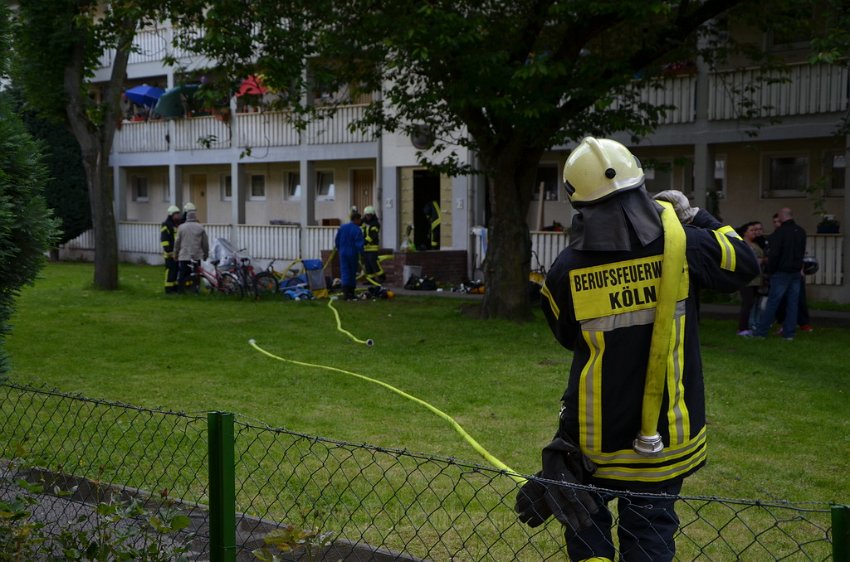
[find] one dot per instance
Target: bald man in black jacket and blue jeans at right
(785, 251)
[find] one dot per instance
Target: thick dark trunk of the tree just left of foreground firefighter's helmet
(508, 260)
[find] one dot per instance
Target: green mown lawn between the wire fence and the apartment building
(777, 411)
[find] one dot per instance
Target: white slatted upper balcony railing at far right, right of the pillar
(802, 90)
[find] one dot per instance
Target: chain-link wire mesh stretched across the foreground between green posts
(374, 503)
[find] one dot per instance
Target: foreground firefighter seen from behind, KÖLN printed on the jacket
(623, 298)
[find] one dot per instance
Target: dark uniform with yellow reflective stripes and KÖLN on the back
(601, 305)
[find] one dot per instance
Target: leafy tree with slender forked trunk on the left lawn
(58, 46)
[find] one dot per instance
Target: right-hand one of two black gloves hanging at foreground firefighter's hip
(564, 462)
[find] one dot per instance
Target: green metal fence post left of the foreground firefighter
(222, 487)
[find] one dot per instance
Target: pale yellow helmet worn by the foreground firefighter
(600, 168)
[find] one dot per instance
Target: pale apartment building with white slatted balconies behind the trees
(280, 191)
